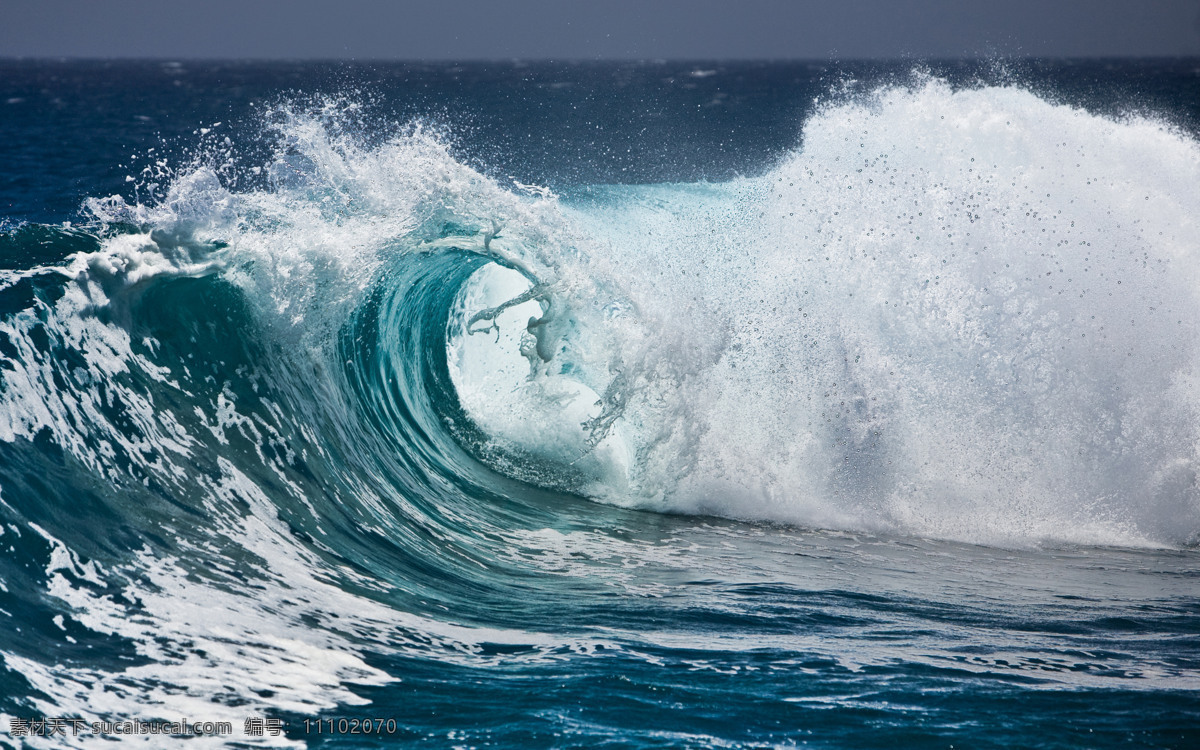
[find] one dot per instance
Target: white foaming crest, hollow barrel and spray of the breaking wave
(974, 333)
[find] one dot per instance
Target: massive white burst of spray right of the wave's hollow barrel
(968, 315)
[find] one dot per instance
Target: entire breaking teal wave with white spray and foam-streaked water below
(298, 430)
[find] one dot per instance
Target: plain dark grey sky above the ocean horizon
(598, 29)
